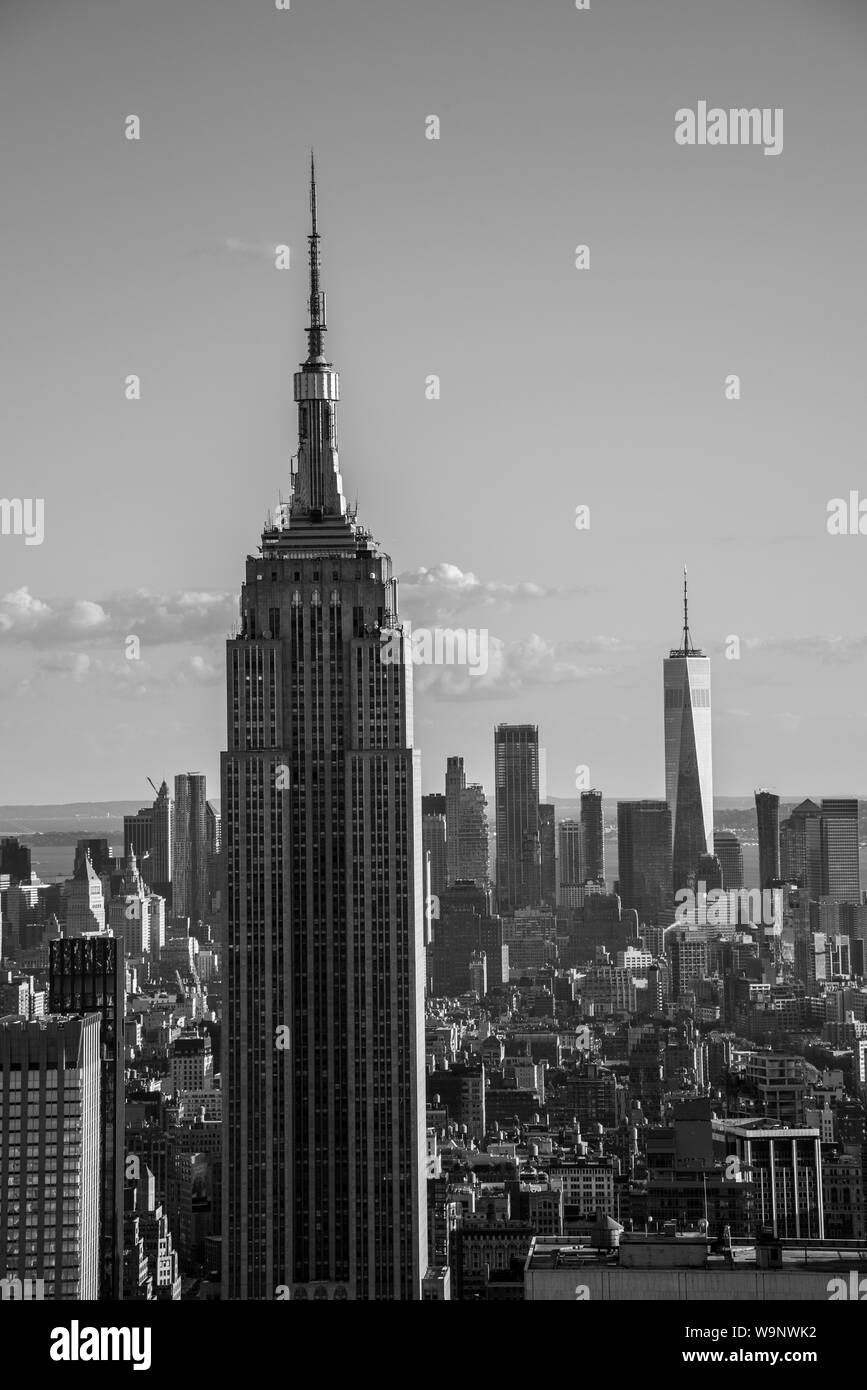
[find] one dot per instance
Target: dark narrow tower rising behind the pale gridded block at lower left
(85, 978)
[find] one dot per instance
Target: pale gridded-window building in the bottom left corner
(51, 1154)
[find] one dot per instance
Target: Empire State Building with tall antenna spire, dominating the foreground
(323, 1071)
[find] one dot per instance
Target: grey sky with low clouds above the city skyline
(602, 389)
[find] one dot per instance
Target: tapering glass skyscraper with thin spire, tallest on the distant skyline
(688, 754)
